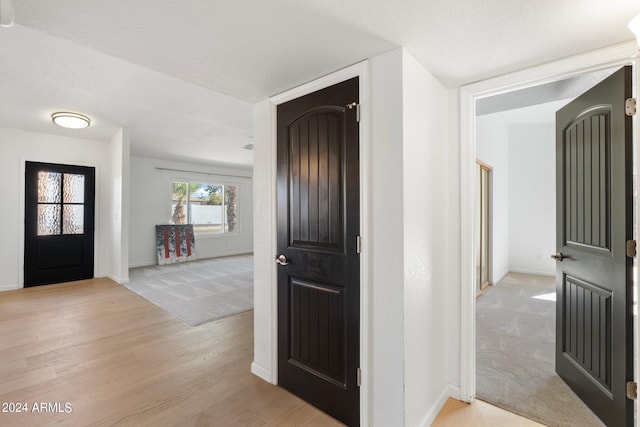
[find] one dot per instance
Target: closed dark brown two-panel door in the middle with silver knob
(318, 227)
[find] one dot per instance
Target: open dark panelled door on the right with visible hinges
(594, 352)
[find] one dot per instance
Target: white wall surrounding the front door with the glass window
(18, 146)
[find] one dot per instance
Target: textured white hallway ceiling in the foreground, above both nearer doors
(251, 49)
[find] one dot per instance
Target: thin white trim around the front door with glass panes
(21, 243)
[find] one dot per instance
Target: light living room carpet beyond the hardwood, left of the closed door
(198, 291)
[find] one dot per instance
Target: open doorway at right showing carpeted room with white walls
(515, 318)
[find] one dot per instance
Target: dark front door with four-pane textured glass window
(59, 223)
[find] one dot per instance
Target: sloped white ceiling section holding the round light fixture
(167, 118)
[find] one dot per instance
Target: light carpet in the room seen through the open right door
(515, 353)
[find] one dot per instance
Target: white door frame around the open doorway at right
(623, 54)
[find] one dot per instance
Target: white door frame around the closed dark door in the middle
(360, 70)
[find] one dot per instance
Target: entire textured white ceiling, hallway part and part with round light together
(162, 68)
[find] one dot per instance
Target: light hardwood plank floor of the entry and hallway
(117, 359)
